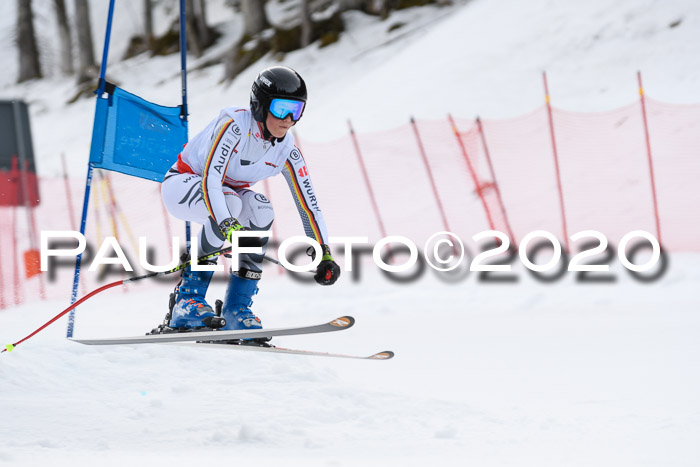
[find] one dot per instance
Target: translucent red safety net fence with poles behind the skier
(456, 175)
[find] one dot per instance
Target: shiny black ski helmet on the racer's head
(275, 82)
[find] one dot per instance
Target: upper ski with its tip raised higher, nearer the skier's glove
(338, 324)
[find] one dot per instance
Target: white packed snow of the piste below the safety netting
(524, 374)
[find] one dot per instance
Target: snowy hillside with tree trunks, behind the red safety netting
(476, 58)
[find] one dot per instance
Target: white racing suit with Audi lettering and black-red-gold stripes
(210, 181)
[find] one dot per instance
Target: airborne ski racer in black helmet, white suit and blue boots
(209, 185)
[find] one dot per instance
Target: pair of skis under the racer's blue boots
(243, 340)
